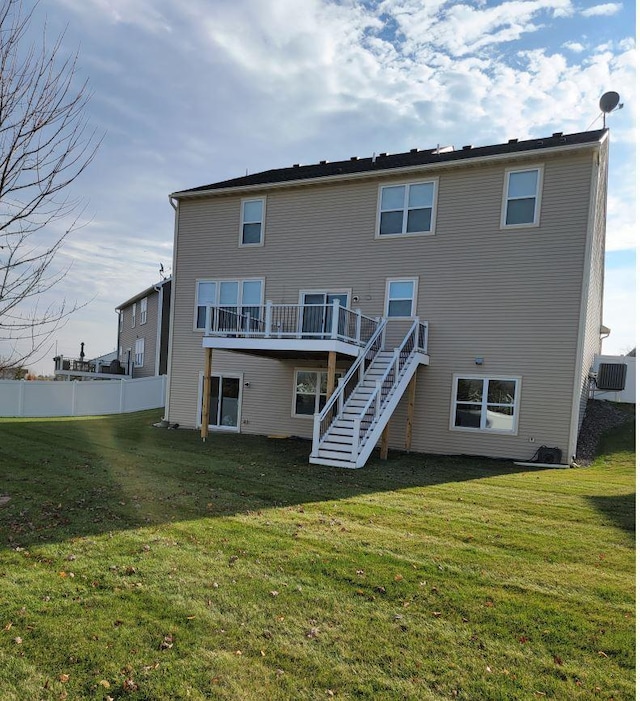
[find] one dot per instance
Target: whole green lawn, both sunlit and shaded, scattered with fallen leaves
(140, 563)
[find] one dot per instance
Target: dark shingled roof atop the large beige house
(383, 161)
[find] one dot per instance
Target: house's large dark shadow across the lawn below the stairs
(77, 478)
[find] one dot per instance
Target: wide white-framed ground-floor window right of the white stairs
(485, 403)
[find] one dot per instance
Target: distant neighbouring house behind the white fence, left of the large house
(143, 331)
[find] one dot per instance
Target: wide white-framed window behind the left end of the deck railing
(238, 300)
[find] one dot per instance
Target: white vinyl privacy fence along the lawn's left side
(95, 398)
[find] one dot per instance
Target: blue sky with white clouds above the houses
(198, 91)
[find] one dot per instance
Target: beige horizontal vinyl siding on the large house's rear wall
(509, 296)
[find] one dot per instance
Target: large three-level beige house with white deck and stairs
(455, 296)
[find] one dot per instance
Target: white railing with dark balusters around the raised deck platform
(301, 321)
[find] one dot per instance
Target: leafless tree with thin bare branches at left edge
(44, 146)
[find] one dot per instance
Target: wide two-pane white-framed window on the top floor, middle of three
(407, 210)
